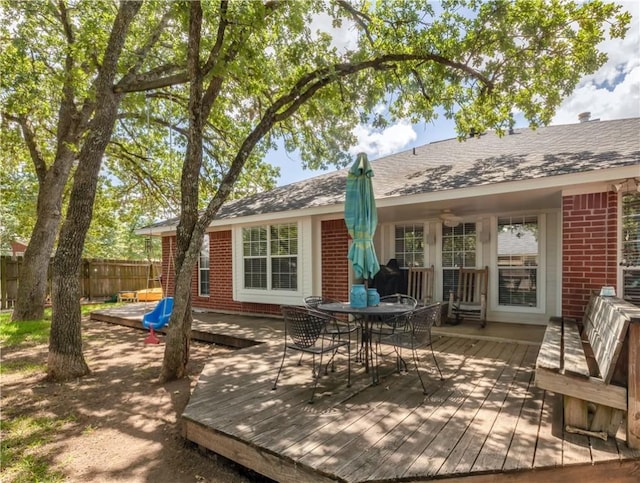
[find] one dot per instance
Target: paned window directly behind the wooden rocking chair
(458, 250)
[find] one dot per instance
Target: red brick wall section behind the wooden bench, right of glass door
(589, 237)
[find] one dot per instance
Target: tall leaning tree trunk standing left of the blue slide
(65, 359)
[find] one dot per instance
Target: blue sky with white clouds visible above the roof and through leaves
(613, 92)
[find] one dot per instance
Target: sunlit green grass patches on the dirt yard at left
(22, 436)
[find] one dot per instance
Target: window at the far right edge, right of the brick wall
(631, 247)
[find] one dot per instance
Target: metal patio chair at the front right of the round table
(414, 335)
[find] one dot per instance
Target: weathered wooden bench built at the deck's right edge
(596, 367)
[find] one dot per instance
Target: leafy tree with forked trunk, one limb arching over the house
(258, 71)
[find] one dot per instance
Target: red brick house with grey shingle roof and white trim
(561, 176)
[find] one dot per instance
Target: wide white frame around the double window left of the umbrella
(269, 296)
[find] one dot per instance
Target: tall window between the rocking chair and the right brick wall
(518, 261)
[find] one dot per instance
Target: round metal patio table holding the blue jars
(366, 317)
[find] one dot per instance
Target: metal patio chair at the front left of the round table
(306, 331)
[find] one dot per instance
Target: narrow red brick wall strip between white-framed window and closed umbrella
(335, 264)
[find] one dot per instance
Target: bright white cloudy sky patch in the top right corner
(613, 92)
